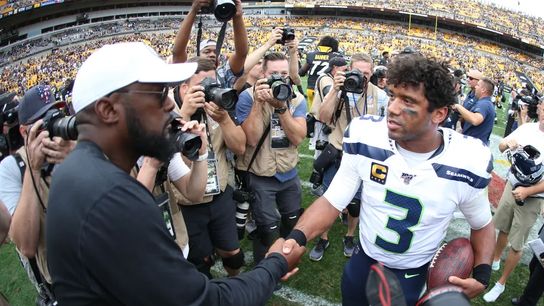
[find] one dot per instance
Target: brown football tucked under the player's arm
(452, 258)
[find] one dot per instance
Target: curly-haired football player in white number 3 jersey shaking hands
(413, 175)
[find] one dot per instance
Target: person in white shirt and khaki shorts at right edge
(514, 221)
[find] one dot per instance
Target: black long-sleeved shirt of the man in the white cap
(107, 244)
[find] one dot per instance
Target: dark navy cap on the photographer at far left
(35, 103)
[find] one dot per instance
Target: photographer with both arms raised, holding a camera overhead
(229, 71)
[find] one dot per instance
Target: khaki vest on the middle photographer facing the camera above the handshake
(270, 161)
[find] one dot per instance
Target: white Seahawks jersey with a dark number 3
(405, 210)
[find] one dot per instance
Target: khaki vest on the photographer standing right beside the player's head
(337, 134)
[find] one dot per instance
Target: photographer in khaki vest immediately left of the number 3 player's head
(366, 99)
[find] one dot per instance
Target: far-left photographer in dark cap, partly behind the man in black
(26, 183)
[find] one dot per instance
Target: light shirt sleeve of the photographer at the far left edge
(11, 183)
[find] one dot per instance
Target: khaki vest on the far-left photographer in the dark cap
(43, 191)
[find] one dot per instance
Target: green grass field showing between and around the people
(321, 279)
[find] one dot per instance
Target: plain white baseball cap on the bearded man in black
(115, 66)
